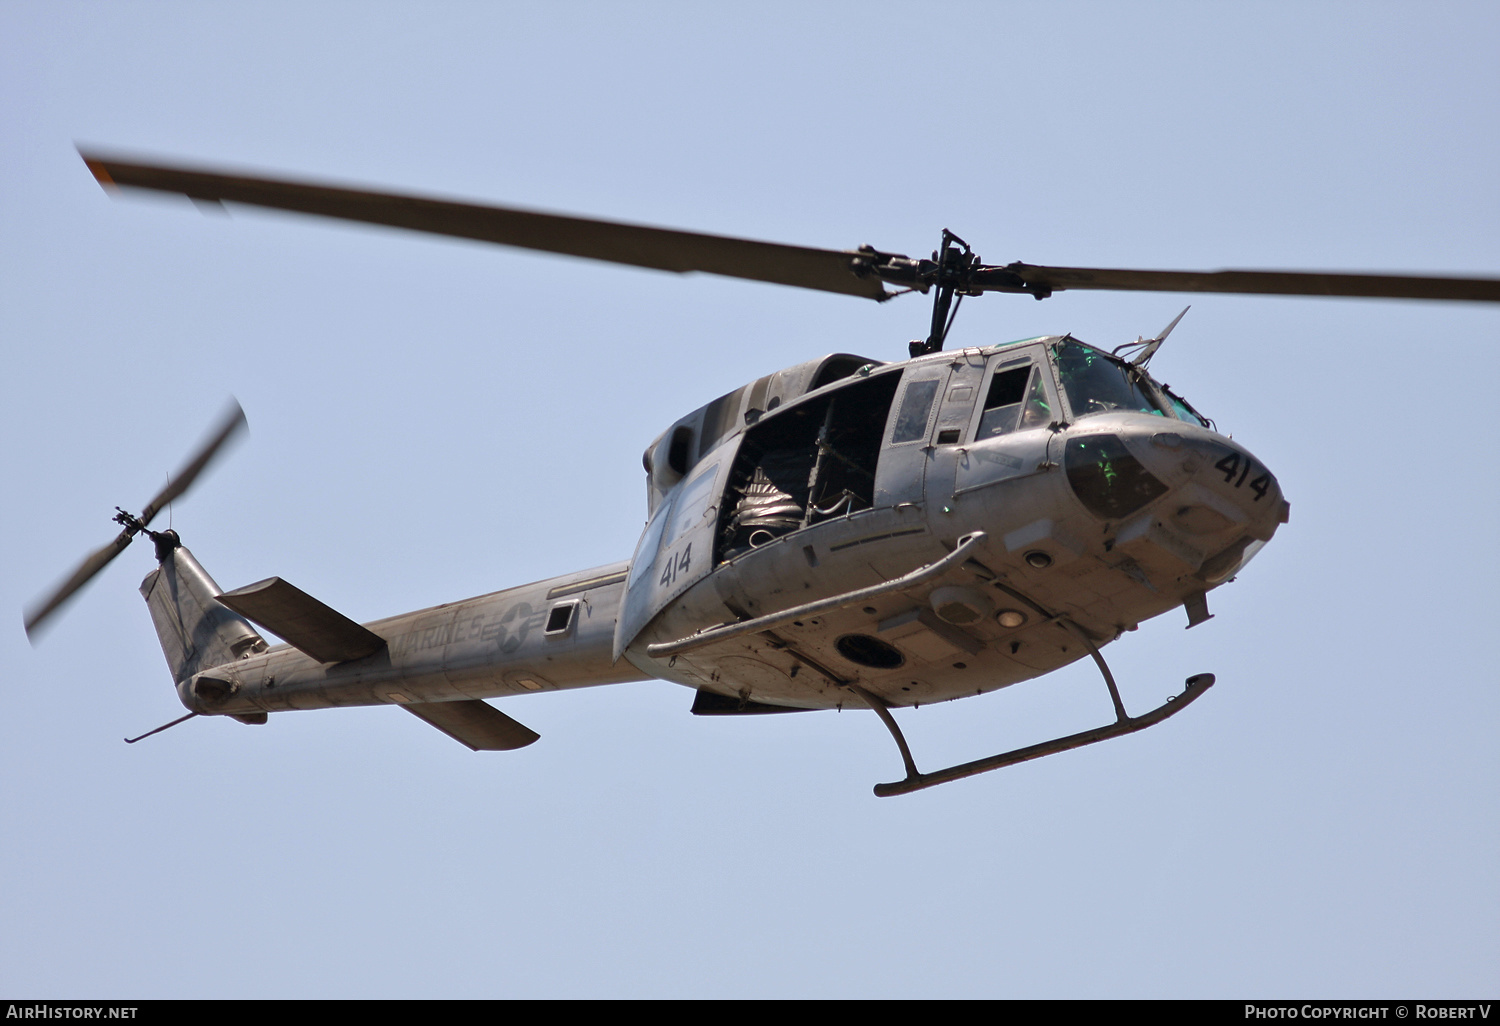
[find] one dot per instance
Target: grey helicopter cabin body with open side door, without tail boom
(1105, 500)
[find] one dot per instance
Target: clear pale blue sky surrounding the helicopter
(436, 419)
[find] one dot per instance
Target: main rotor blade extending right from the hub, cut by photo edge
(1057, 280)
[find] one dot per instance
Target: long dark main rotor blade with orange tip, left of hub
(638, 245)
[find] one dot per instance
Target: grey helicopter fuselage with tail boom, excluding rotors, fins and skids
(1103, 499)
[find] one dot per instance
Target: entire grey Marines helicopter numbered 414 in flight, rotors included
(845, 533)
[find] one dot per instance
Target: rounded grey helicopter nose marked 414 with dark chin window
(1178, 488)
